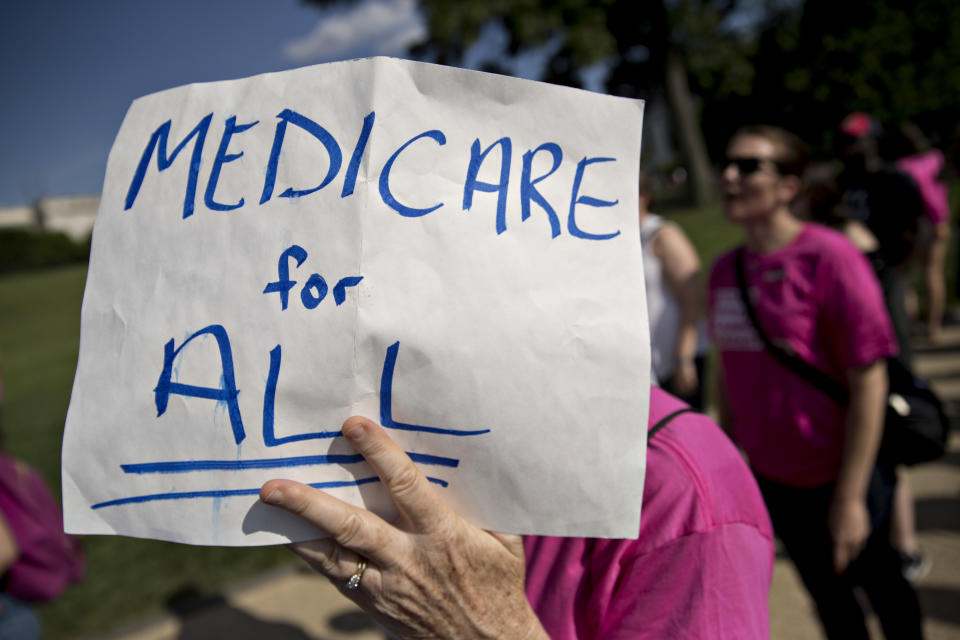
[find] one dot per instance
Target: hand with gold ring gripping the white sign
(412, 582)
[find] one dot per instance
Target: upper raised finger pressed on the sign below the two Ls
(410, 490)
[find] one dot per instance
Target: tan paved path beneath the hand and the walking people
(292, 603)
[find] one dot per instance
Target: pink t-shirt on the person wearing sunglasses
(818, 297)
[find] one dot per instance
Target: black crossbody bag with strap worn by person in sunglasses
(915, 427)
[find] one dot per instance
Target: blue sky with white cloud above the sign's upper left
(69, 69)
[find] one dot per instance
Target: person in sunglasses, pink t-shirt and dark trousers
(814, 295)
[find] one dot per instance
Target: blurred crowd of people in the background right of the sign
(811, 308)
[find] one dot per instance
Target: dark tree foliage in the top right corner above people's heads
(817, 61)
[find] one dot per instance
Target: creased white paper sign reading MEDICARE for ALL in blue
(453, 254)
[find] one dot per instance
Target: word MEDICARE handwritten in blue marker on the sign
(158, 145)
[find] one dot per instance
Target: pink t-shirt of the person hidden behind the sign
(702, 562)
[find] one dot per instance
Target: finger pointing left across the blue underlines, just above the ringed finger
(350, 526)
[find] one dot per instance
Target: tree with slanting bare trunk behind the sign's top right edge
(668, 48)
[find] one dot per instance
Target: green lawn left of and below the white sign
(126, 578)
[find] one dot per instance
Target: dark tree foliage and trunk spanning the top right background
(720, 64)
